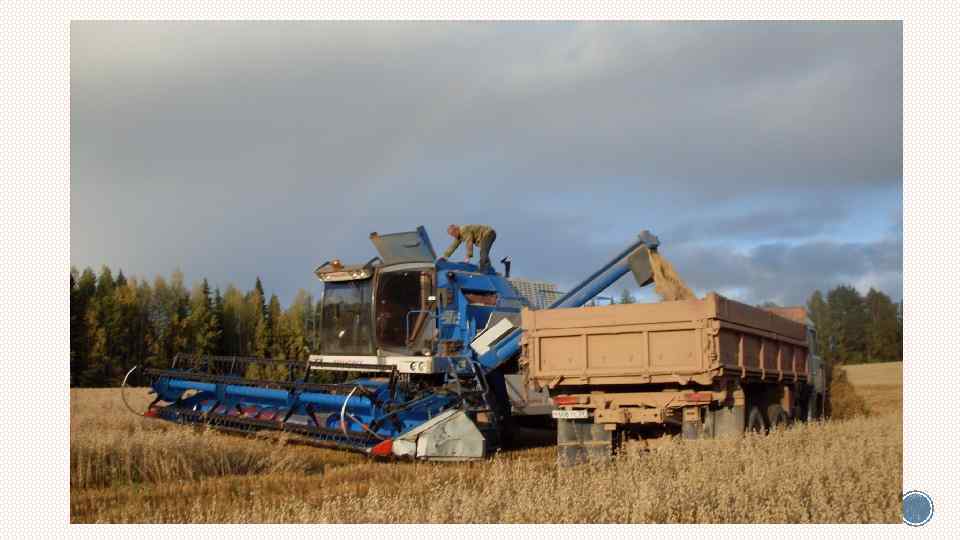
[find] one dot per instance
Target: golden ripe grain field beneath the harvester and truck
(126, 468)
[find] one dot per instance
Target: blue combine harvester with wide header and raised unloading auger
(434, 340)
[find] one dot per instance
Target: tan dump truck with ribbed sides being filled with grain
(626, 374)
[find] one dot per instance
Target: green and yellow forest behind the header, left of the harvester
(119, 322)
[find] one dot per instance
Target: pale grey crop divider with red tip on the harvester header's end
(449, 436)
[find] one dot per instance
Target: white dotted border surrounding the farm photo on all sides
(35, 229)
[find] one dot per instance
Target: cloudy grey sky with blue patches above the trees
(767, 157)
